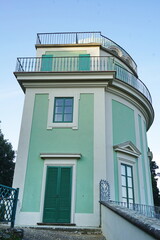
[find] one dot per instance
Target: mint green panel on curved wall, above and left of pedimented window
(123, 130)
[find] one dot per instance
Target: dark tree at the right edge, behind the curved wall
(156, 192)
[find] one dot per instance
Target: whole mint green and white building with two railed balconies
(85, 118)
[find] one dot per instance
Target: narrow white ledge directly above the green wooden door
(60, 155)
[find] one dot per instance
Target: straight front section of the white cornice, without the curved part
(65, 80)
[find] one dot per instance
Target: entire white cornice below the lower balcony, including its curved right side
(106, 80)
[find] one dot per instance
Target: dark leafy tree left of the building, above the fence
(6, 161)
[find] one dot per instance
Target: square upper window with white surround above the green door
(63, 109)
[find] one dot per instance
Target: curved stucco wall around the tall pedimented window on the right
(128, 124)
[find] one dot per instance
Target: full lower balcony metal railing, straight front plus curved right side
(73, 64)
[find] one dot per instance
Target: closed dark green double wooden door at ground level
(57, 204)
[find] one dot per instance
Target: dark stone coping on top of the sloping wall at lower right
(148, 225)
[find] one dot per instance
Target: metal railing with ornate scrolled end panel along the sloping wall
(146, 210)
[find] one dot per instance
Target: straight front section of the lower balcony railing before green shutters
(65, 64)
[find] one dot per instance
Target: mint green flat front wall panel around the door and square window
(60, 141)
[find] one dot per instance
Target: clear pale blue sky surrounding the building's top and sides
(134, 25)
